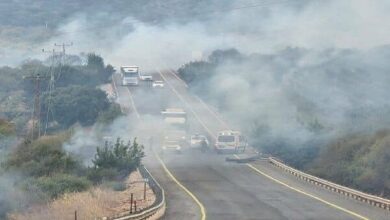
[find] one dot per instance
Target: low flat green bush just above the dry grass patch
(55, 186)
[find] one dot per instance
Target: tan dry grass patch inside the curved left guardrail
(93, 204)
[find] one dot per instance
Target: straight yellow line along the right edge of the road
(305, 193)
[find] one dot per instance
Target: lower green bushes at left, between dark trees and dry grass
(50, 172)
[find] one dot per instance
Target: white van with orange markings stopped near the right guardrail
(230, 142)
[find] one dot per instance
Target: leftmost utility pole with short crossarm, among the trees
(37, 104)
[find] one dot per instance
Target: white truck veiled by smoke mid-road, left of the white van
(175, 129)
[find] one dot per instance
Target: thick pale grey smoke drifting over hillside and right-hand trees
(312, 69)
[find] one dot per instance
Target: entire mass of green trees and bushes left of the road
(40, 170)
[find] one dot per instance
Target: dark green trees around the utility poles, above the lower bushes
(75, 98)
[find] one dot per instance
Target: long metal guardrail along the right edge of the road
(355, 194)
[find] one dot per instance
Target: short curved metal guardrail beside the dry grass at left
(158, 205)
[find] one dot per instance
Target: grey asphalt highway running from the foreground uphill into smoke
(229, 190)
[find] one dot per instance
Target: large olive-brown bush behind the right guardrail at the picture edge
(361, 161)
